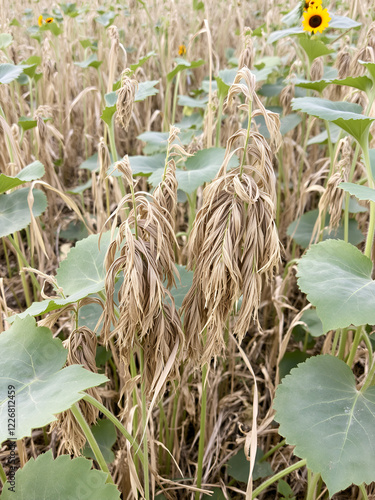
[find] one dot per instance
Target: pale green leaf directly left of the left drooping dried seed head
(83, 268)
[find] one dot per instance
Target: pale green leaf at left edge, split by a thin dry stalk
(14, 210)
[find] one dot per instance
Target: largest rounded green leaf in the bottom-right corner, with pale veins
(330, 422)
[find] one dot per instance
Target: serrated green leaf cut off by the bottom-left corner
(60, 479)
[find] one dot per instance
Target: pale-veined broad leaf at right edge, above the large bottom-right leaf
(336, 277)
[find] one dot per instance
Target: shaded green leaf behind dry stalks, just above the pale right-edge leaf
(301, 230)
